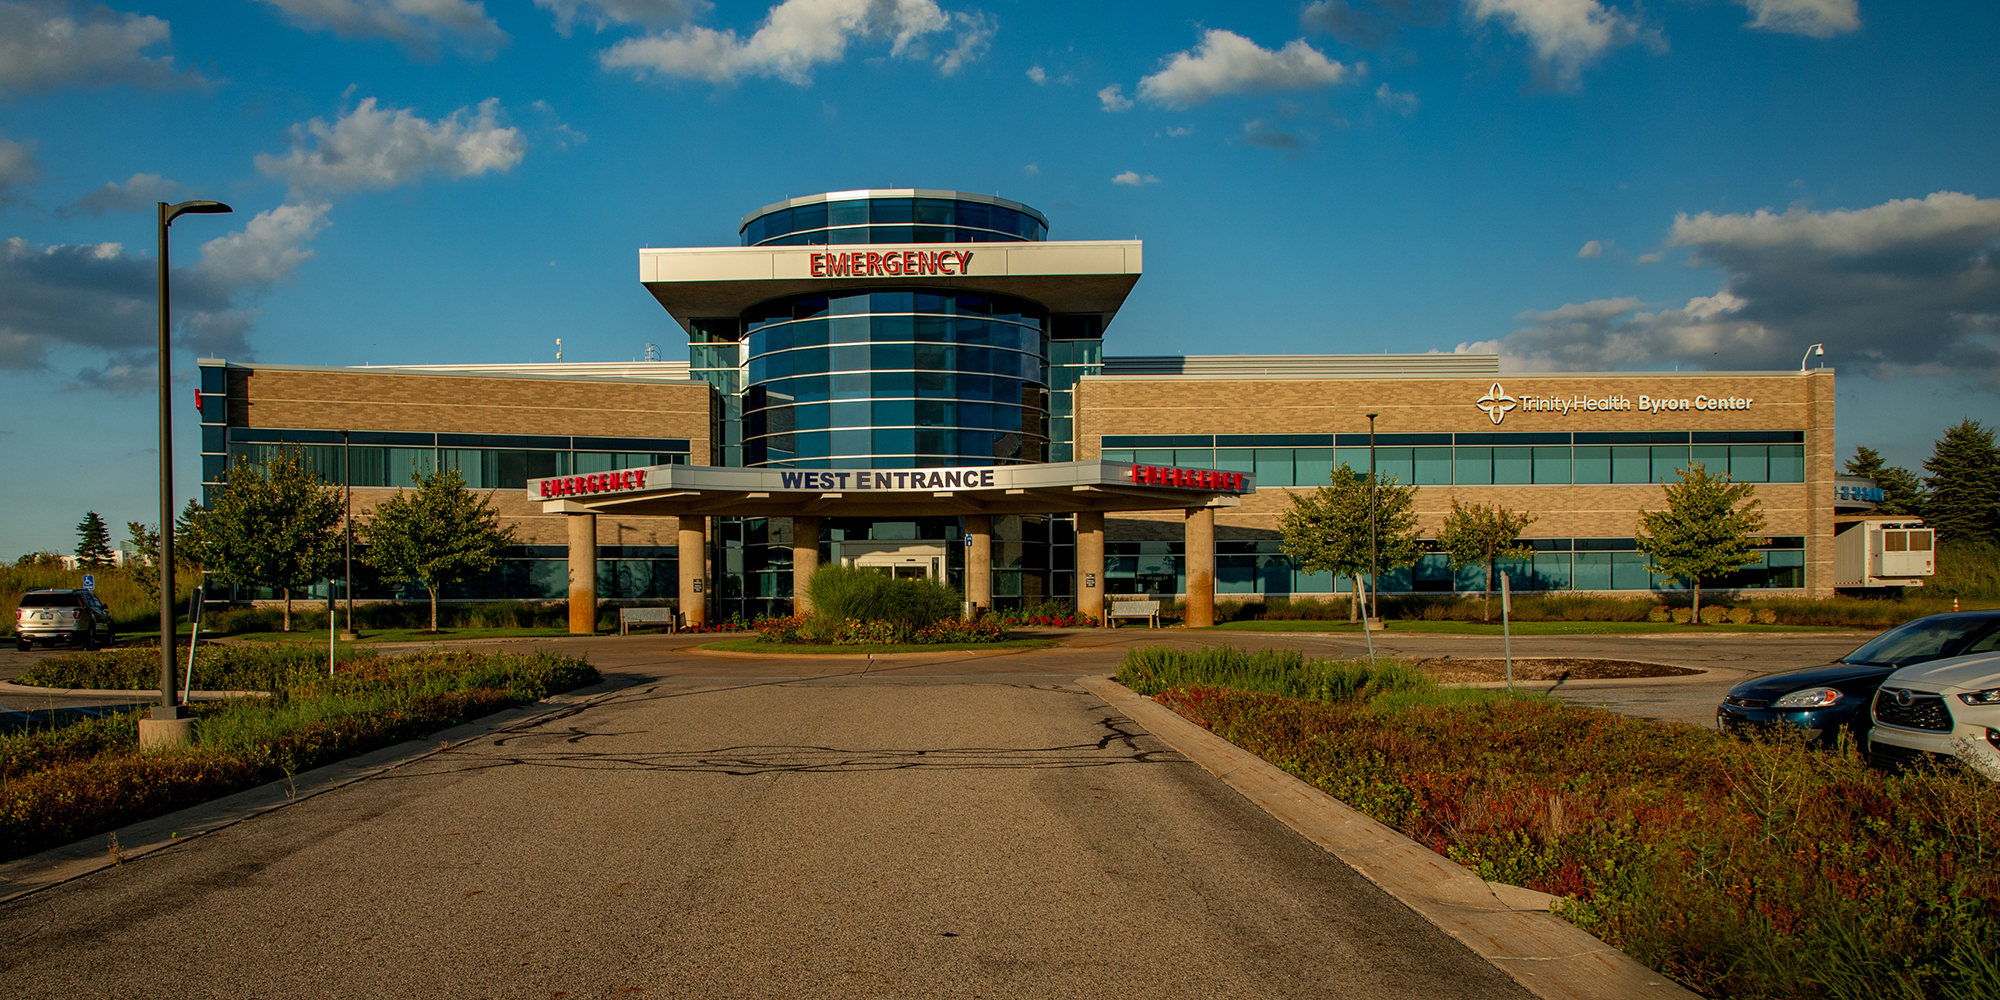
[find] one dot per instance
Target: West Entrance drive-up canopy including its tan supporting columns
(975, 495)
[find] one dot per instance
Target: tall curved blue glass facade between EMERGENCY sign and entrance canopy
(897, 379)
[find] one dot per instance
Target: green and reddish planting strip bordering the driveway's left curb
(61, 785)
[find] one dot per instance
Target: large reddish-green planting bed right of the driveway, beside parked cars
(1741, 869)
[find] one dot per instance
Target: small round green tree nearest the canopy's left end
(439, 535)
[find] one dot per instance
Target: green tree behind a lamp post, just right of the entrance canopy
(1327, 529)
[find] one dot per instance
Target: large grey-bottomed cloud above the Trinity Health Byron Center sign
(1907, 287)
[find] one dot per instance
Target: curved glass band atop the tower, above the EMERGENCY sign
(895, 221)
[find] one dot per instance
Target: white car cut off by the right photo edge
(1945, 709)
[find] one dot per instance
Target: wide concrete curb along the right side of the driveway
(1505, 925)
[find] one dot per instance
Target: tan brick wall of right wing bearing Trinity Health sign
(1449, 405)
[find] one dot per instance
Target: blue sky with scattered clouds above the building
(1577, 185)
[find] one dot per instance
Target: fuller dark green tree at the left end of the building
(271, 527)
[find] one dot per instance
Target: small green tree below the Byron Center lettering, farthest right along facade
(1707, 531)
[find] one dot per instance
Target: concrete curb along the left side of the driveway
(61, 865)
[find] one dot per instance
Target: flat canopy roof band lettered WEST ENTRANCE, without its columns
(901, 493)
